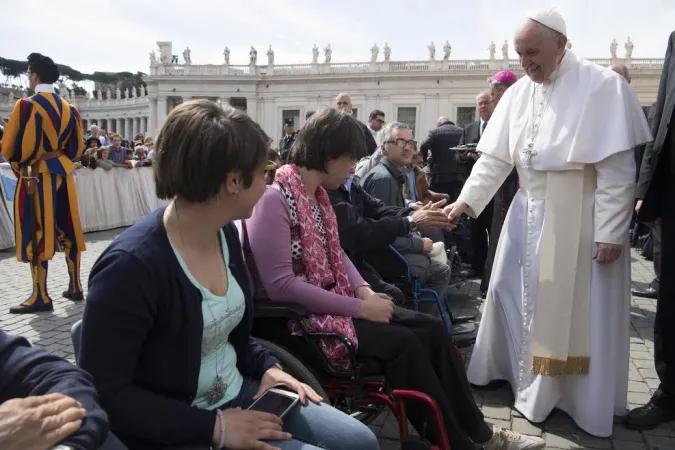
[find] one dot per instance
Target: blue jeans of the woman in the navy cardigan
(315, 426)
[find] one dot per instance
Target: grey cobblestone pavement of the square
(51, 331)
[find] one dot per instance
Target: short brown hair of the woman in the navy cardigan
(199, 144)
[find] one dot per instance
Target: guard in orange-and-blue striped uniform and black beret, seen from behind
(42, 139)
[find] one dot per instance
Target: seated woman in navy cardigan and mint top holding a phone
(166, 328)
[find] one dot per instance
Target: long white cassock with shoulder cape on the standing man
(577, 183)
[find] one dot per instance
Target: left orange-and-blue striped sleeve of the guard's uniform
(23, 134)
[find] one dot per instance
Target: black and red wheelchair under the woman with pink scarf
(360, 391)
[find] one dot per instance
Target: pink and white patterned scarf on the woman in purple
(321, 266)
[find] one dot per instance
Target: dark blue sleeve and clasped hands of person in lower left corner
(46, 402)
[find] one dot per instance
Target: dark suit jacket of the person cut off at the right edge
(658, 162)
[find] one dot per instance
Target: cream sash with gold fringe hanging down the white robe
(561, 328)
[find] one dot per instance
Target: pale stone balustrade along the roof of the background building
(473, 65)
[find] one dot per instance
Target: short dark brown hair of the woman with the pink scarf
(328, 135)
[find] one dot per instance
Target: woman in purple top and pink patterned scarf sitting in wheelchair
(293, 237)
